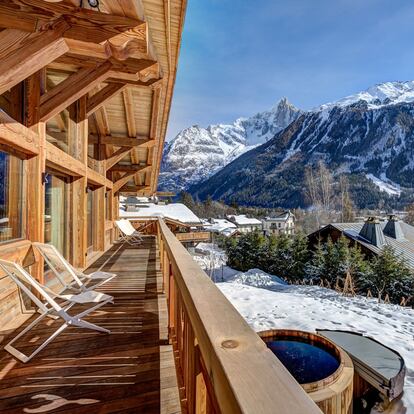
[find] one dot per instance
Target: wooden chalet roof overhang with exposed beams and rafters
(123, 64)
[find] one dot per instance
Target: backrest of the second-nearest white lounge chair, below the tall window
(58, 264)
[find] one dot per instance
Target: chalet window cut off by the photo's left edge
(11, 197)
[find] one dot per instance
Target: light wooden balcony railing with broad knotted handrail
(224, 366)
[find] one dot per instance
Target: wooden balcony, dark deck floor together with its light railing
(177, 345)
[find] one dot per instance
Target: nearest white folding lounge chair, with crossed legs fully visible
(47, 304)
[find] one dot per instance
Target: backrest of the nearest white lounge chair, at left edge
(22, 278)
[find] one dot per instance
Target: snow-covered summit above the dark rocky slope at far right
(376, 96)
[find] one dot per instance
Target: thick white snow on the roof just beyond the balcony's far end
(174, 211)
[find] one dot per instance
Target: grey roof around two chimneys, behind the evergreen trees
(403, 247)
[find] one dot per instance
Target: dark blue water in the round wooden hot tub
(305, 361)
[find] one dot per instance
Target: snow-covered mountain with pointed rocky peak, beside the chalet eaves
(196, 153)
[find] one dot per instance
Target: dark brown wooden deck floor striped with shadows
(130, 370)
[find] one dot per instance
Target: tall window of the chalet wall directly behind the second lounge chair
(56, 214)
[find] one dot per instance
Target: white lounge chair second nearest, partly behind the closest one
(79, 282)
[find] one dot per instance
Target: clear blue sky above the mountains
(239, 57)
